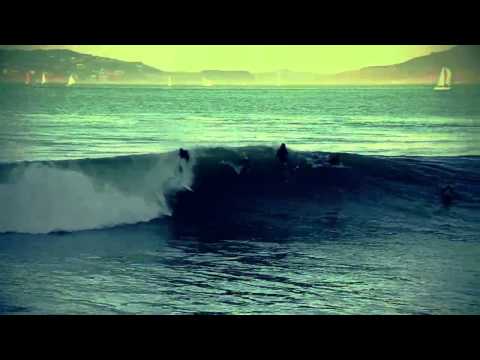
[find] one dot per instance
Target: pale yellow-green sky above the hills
(321, 59)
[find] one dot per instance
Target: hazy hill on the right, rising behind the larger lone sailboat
(463, 60)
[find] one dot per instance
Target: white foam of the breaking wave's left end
(40, 198)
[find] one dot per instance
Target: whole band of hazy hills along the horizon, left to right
(463, 60)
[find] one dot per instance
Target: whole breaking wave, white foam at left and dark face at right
(41, 197)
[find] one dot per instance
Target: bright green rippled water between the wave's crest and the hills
(58, 123)
